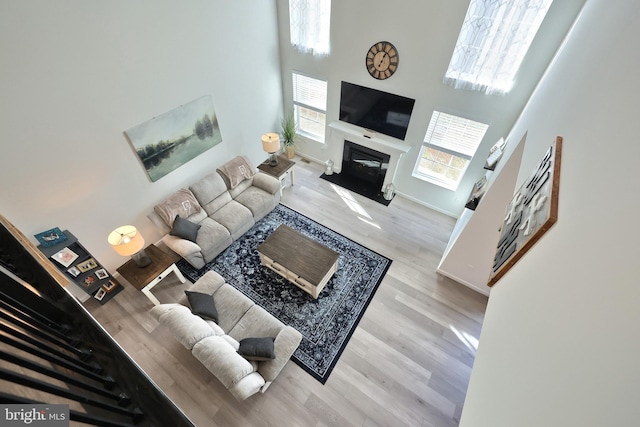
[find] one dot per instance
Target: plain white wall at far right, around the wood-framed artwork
(559, 345)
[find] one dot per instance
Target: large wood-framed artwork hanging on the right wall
(530, 214)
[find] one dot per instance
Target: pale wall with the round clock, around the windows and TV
(424, 34)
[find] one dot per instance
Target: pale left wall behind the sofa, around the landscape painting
(76, 74)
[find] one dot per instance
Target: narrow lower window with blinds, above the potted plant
(309, 105)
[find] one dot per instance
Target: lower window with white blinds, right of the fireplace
(448, 147)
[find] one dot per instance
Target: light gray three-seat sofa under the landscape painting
(219, 208)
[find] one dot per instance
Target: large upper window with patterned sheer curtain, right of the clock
(493, 41)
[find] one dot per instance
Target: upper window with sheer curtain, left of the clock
(309, 23)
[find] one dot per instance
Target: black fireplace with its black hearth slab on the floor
(363, 171)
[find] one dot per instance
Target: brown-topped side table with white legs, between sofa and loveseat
(145, 278)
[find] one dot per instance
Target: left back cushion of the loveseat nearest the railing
(185, 326)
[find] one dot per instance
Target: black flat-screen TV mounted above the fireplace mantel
(375, 110)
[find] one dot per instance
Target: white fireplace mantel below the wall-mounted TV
(393, 147)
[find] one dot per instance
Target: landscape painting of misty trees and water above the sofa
(166, 142)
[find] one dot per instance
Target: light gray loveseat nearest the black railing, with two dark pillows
(216, 344)
